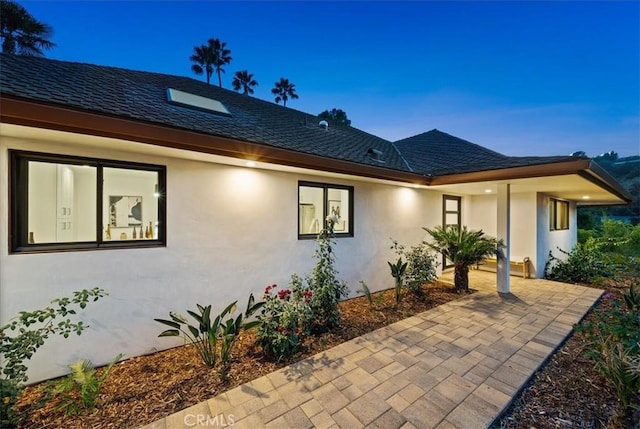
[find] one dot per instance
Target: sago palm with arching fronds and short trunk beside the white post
(463, 248)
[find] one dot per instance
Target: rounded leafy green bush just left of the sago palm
(421, 265)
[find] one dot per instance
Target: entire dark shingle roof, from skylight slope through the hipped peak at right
(142, 96)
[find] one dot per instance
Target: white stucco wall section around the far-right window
(552, 240)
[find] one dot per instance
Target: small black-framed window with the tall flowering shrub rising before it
(316, 201)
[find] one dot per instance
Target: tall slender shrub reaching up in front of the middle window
(323, 281)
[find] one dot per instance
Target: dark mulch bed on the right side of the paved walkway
(568, 392)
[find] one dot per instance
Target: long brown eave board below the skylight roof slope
(18, 111)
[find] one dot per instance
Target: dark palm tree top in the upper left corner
(21, 33)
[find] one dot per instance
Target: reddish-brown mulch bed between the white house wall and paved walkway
(143, 389)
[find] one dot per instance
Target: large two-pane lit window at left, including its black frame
(65, 203)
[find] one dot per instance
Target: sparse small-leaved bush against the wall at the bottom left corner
(25, 334)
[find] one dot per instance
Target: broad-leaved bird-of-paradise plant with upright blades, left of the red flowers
(204, 335)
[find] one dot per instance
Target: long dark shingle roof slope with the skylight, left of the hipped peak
(142, 96)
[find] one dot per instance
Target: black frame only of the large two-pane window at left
(18, 203)
